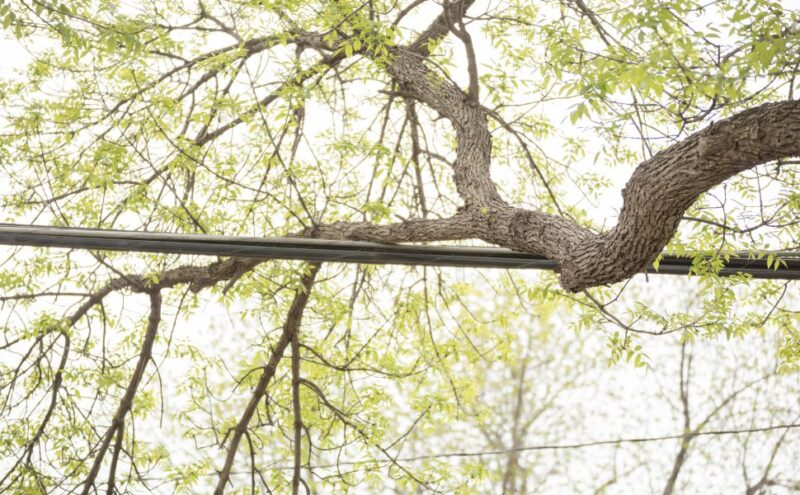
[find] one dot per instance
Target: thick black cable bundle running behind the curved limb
(317, 250)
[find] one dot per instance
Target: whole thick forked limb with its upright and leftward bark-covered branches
(660, 190)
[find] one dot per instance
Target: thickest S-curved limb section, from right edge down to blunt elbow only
(664, 187)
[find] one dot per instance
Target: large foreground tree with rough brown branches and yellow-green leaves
(597, 134)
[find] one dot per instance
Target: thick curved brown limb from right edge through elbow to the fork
(655, 198)
